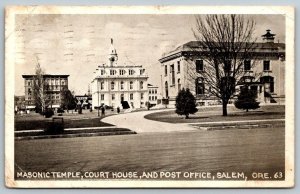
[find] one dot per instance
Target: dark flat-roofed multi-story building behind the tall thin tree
(54, 85)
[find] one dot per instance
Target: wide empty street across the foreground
(247, 150)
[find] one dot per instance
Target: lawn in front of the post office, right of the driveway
(214, 114)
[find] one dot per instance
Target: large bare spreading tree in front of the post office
(226, 42)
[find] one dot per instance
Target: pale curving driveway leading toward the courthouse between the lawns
(136, 122)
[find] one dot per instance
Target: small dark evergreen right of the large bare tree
(246, 100)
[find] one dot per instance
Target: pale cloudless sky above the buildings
(77, 44)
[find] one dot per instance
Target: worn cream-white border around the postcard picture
(10, 13)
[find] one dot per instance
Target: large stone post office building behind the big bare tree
(266, 76)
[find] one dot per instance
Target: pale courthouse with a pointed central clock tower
(119, 85)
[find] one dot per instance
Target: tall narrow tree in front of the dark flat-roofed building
(40, 90)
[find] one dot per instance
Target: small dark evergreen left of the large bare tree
(185, 103)
